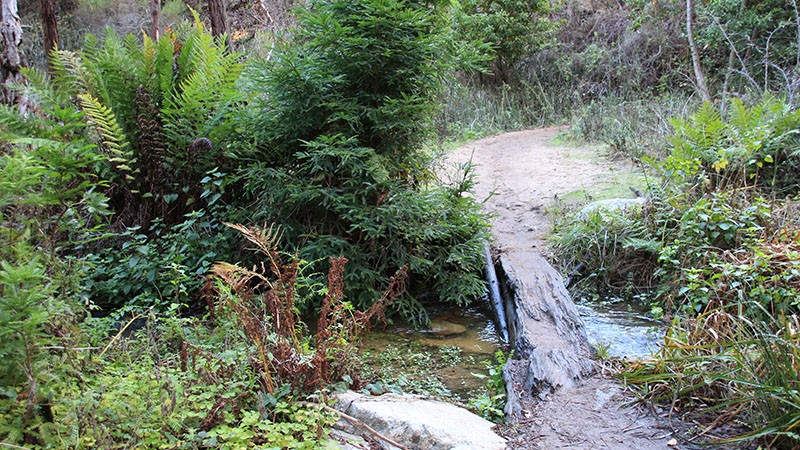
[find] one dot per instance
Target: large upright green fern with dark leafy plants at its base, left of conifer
(156, 113)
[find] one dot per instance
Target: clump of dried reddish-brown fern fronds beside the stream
(263, 302)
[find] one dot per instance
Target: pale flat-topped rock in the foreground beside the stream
(418, 423)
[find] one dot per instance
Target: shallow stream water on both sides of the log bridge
(451, 358)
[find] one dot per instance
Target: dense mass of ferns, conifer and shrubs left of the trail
(115, 185)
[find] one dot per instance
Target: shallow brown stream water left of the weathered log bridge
(454, 353)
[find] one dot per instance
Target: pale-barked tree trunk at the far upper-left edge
(11, 57)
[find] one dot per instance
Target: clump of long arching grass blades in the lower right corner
(728, 369)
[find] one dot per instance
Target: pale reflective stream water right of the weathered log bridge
(620, 329)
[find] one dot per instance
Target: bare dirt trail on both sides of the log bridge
(526, 173)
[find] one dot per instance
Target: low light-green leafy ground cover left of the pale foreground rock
(175, 383)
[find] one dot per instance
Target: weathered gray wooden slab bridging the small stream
(552, 350)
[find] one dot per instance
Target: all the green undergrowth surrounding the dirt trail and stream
(119, 326)
